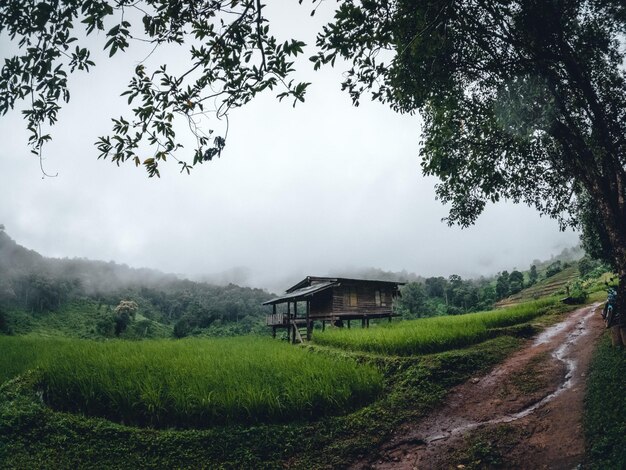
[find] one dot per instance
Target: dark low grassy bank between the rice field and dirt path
(36, 435)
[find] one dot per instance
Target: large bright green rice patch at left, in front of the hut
(194, 382)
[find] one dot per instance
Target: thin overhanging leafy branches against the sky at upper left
(232, 57)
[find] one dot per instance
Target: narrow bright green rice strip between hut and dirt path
(429, 335)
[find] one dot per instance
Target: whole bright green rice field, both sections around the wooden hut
(200, 382)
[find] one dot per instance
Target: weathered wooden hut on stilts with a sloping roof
(331, 299)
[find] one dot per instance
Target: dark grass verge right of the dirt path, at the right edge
(605, 408)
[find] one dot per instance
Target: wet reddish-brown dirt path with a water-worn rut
(526, 413)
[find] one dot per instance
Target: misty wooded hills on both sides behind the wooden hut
(37, 284)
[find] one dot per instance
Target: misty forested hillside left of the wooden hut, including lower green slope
(33, 286)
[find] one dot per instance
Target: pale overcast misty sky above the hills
(306, 191)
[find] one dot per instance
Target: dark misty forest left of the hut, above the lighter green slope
(38, 284)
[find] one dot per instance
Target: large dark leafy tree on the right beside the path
(521, 99)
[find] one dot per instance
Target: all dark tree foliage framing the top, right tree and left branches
(521, 99)
